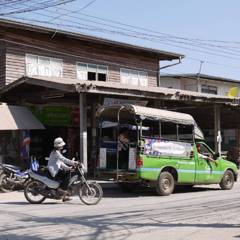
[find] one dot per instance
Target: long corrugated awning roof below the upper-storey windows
(75, 85)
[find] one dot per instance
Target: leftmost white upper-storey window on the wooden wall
(43, 66)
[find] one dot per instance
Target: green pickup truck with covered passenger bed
(161, 148)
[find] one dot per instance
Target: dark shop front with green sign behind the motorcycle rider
(60, 121)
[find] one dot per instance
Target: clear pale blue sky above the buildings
(203, 30)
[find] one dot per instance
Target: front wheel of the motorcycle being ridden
(90, 194)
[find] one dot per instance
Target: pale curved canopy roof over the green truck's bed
(151, 113)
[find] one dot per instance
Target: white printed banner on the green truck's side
(156, 147)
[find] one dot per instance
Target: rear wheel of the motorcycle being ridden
(32, 192)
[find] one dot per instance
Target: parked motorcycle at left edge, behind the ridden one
(12, 177)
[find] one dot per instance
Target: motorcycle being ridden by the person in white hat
(41, 187)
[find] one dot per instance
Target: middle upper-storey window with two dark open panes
(91, 72)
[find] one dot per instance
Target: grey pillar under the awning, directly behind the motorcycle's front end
(83, 129)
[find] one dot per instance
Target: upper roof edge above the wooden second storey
(162, 55)
